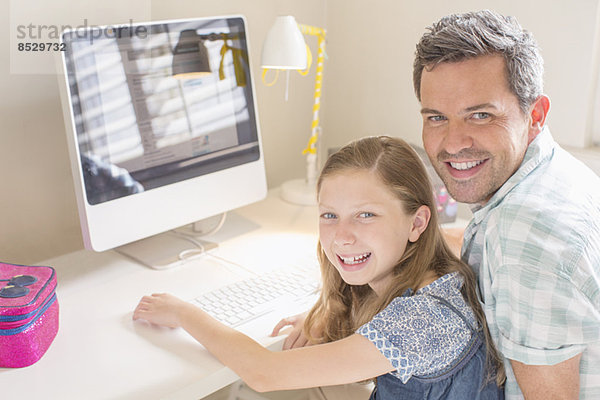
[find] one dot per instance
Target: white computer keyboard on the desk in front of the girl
(243, 301)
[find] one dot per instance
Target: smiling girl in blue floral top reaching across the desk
(396, 303)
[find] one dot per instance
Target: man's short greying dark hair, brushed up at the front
(459, 37)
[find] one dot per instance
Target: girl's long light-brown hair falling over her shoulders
(343, 308)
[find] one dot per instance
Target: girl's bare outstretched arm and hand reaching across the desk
(348, 360)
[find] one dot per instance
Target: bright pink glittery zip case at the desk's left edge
(28, 313)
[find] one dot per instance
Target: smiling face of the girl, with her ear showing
(363, 228)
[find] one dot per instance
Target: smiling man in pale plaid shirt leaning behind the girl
(534, 239)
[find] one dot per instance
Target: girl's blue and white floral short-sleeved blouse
(420, 335)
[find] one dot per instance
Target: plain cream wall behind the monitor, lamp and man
(367, 90)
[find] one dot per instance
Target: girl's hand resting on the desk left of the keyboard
(161, 309)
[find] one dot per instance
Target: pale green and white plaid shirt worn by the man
(535, 247)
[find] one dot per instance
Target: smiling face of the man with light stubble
(474, 132)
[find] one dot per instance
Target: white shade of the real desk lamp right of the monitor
(284, 46)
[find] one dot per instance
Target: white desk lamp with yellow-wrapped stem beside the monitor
(285, 49)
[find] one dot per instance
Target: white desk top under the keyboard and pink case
(100, 353)
